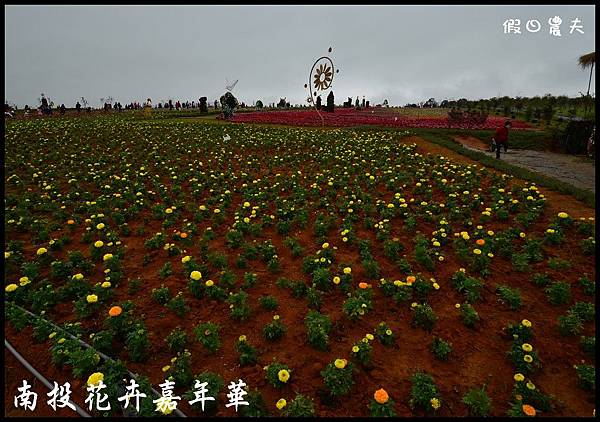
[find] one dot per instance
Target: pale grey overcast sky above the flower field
(402, 53)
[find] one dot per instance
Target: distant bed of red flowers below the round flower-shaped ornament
(351, 117)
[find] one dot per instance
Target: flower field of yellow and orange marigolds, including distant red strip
(337, 273)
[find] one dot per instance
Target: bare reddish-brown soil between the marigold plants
(478, 357)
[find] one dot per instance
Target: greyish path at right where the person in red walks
(568, 168)
